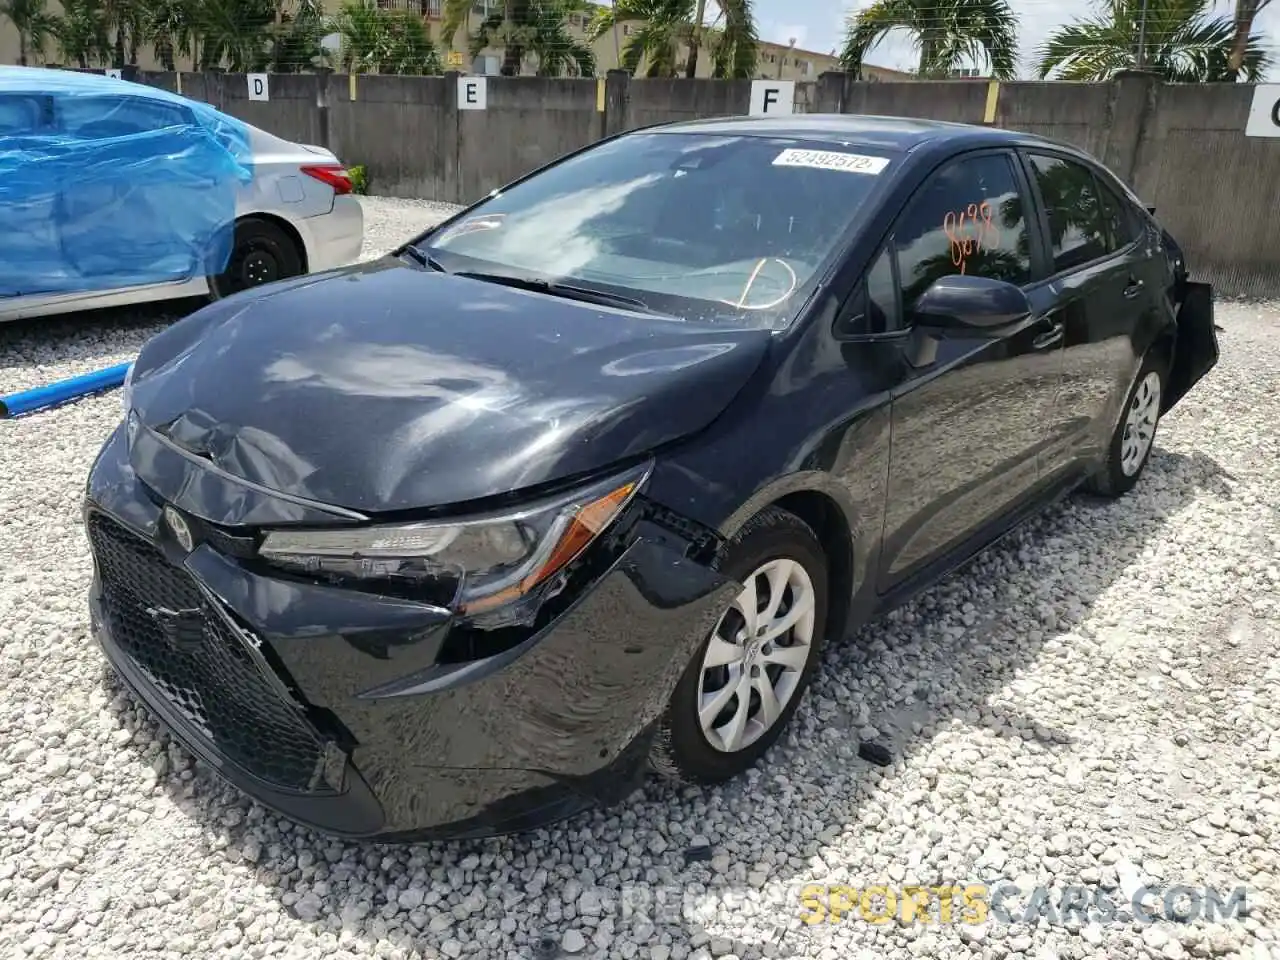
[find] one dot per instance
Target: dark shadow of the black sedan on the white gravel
(918, 688)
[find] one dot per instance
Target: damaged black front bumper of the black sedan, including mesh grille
(331, 706)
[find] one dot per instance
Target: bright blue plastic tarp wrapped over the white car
(107, 184)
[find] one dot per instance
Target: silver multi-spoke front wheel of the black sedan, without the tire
(757, 656)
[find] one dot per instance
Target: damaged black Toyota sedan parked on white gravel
(577, 484)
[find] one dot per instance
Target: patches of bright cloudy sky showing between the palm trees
(819, 26)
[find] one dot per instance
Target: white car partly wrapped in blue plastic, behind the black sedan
(115, 193)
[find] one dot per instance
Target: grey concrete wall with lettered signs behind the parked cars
(1182, 148)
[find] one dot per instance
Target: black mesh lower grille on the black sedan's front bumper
(199, 664)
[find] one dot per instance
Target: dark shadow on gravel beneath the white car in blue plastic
(113, 335)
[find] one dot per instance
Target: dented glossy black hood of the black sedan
(386, 387)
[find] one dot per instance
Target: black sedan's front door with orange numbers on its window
(967, 428)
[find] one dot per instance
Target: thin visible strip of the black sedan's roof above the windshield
(902, 134)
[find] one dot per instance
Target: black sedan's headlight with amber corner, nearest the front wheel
(482, 563)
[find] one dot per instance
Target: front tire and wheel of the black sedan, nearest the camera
(765, 546)
